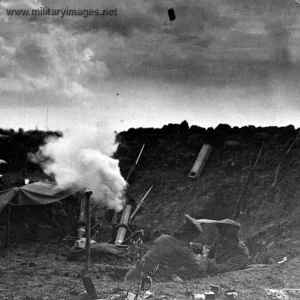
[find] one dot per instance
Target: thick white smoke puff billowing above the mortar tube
(81, 160)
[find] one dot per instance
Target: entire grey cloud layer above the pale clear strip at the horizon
(210, 43)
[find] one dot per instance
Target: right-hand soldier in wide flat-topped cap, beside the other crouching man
(228, 252)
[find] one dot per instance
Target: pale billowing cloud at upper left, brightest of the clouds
(44, 60)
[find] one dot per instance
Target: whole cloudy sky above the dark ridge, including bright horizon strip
(220, 61)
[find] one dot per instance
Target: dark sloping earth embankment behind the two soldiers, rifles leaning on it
(271, 224)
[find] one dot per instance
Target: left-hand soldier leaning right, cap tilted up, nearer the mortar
(171, 255)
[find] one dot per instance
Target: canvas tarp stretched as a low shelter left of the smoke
(38, 193)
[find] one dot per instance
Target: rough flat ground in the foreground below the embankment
(40, 271)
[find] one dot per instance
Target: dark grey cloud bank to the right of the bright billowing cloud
(209, 43)
